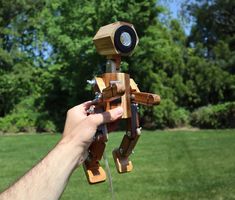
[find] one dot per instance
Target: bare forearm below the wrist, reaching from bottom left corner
(49, 177)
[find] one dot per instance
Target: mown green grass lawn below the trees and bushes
(167, 165)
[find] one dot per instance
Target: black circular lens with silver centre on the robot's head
(125, 39)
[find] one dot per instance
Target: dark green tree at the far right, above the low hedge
(210, 64)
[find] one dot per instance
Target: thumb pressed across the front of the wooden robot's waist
(108, 116)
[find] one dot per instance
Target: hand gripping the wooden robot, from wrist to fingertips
(80, 129)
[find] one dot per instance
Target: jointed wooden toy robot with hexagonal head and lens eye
(113, 89)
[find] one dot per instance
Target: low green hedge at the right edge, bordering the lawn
(215, 116)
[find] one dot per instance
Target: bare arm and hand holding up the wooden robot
(48, 179)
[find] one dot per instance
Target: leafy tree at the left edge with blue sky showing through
(17, 40)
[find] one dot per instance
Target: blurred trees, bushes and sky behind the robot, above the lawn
(186, 54)
